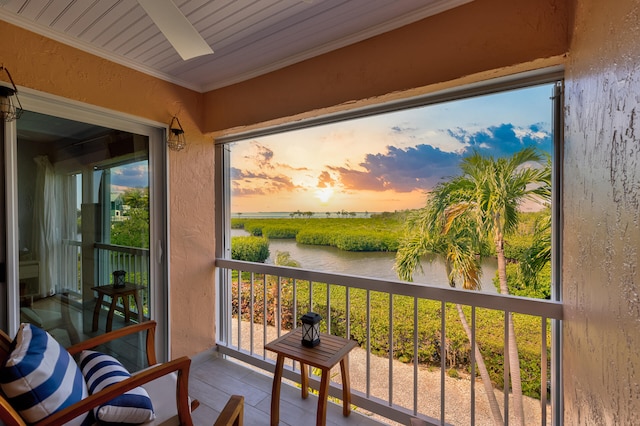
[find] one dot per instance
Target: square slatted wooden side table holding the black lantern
(330, 351)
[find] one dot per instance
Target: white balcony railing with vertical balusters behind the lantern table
(396, 324)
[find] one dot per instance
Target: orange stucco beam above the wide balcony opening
(472, 38)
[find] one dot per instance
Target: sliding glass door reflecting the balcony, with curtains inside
(88, 203)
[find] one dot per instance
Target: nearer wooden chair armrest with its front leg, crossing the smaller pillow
(180, 365)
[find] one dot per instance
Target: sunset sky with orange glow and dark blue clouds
(386, 162)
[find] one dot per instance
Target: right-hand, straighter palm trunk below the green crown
(514, 358)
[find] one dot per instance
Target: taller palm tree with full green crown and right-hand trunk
(492, 191)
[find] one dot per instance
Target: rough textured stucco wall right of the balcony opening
(602, 216)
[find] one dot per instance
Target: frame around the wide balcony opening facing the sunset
(501, 84)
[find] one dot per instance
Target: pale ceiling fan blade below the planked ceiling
(176, 28)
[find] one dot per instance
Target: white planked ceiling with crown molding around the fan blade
(249, 37)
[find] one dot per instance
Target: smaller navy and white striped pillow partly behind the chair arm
(100, 371)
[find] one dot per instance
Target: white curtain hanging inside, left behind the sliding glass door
(46, 232)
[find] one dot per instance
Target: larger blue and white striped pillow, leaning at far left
(40, 377)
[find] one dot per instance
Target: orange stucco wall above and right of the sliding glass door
(48, 66)
